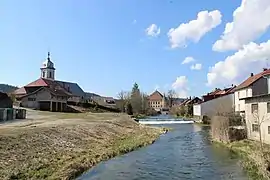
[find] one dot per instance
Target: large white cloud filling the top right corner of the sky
(250, 21)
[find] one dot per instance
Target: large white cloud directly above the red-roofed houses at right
(234, 69)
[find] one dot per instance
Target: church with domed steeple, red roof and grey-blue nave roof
(47, 93)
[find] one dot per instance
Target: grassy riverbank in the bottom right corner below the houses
(252, 161)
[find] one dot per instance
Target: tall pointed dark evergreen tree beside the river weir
(136, 99)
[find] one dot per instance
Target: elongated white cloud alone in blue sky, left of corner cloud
(194, 30)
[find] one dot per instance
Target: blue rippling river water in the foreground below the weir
(183, 153)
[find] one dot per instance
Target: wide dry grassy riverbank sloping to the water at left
(62, 146)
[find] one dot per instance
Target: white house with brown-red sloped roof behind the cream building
(253, 86)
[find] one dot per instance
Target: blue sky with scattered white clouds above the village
(107, 45)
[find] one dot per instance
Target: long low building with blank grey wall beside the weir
(218, 101)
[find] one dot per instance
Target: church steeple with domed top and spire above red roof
(47, 69)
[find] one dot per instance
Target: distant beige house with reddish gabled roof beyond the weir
(157, 101)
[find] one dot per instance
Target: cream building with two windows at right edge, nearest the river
(257, 116)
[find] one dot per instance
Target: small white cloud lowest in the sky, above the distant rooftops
(181, 86)
